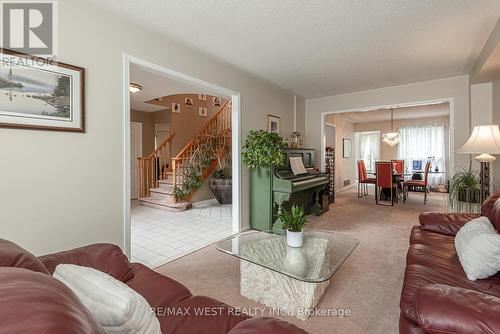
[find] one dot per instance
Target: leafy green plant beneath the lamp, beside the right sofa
(464, 188)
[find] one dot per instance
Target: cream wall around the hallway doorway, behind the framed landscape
(61, 190)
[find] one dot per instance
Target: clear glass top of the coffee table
(316, 261)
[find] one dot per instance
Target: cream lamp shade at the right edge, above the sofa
(484, 139)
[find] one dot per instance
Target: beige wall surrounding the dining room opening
(456, 88)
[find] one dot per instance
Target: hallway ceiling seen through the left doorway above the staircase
(155, 85)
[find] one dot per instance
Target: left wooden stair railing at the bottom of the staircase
(155, 166)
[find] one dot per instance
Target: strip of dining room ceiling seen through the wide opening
(426, 111)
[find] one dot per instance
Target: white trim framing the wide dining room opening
(451, 102)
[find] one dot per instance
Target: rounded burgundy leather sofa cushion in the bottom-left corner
(33, 302)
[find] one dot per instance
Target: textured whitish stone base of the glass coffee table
(279, 292)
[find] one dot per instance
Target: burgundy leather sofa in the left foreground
(31, 301)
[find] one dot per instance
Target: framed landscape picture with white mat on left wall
(36, 93)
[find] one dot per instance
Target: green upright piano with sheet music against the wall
(273, 190)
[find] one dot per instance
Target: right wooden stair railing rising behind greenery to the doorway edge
(219, 125)
